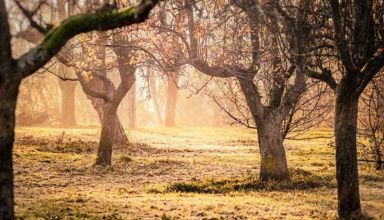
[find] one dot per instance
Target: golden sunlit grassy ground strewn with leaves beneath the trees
(178, 173)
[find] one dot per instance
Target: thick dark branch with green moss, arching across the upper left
(57, 38)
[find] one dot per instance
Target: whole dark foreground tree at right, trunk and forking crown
(357, 30)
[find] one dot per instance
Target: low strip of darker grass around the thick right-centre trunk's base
(300, 180)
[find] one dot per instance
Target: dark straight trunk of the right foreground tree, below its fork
(346, 155)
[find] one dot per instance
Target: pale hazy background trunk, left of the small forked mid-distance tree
(68, 118)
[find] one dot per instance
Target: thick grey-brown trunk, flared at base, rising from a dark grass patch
(273, 164)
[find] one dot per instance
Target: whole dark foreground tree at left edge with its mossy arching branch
(13, 71)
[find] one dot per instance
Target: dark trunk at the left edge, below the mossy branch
(8, 97)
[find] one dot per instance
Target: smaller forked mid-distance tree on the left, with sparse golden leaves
(103, 95)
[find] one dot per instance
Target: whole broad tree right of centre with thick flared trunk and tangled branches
(283, 76)
